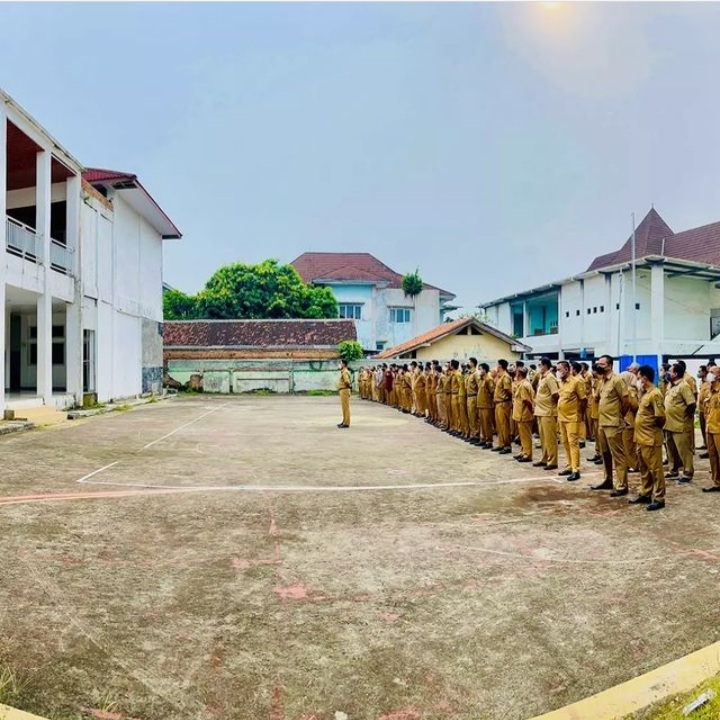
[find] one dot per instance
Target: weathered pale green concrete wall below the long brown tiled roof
(239, 376)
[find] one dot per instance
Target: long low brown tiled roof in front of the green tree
(257, 333)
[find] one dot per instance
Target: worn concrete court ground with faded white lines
(243, 558)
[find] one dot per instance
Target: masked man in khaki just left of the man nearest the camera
(614, 403)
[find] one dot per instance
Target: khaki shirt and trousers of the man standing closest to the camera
(649, 442)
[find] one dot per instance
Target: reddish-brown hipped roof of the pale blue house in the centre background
(358, 267)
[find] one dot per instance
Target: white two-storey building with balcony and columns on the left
(80, 274)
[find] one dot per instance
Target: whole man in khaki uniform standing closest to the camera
(649, 423)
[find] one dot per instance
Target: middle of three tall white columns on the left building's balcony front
(44, 303)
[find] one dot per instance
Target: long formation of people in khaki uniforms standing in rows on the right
(639, 423)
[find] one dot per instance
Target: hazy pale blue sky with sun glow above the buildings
(493, 146)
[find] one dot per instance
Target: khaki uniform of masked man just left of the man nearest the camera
(612, 393)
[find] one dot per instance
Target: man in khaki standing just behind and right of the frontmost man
(679, 425)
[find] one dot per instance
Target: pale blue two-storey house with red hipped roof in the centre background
(371, 294)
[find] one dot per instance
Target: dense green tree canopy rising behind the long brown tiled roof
(263, 291)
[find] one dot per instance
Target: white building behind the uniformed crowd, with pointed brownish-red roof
(675, 312)
